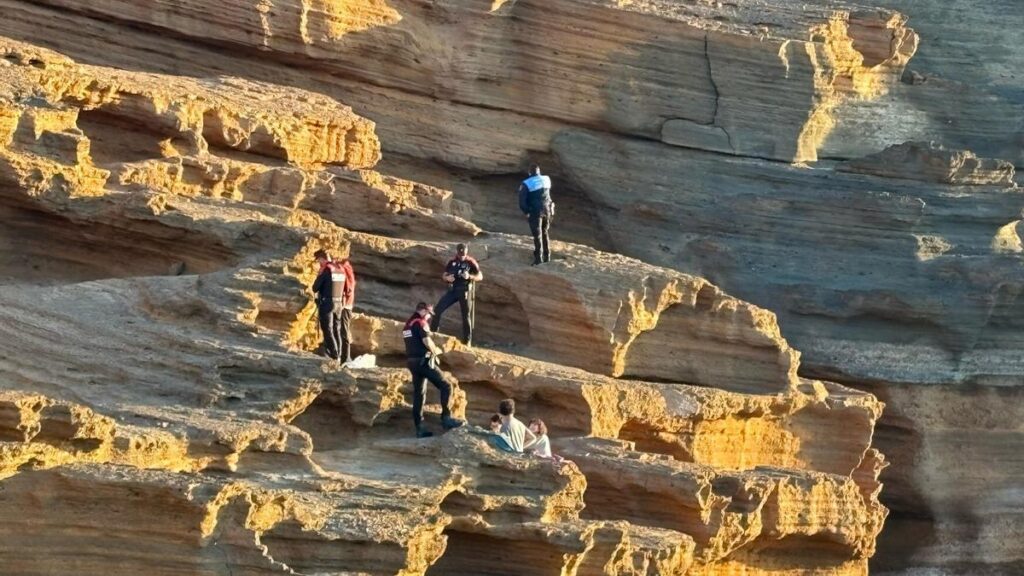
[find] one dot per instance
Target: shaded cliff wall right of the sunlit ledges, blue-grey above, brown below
(883, 283)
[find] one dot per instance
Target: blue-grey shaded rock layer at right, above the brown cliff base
(873, 269)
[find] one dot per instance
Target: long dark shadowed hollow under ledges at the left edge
(39, 248)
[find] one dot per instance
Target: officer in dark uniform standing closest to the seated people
(422, 356)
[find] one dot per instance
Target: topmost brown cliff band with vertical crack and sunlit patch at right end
(769, 78)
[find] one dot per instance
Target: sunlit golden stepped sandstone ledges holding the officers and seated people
(180, 425)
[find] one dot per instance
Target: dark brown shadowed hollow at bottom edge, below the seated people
(479, 555)
